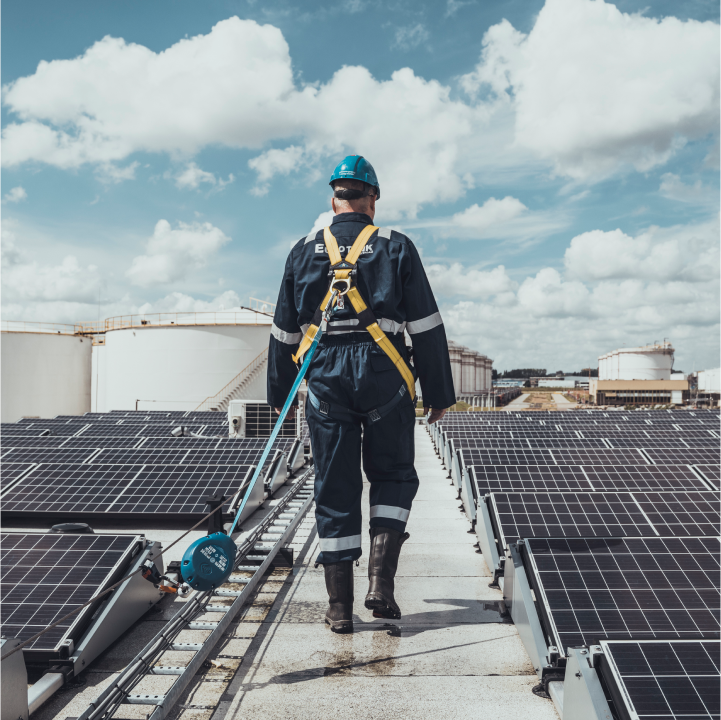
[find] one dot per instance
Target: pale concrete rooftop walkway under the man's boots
(449, 657)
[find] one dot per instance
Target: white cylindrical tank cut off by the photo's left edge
(44, 374)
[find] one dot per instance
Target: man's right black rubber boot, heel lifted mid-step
(382, 566)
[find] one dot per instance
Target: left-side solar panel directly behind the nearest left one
(95, 491)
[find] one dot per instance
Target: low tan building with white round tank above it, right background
(639, 376)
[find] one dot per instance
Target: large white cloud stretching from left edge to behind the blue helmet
(234, 87)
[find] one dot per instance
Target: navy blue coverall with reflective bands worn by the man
(351, 371)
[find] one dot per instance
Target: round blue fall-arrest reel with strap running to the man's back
(208, 562)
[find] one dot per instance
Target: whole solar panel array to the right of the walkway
(619, 514)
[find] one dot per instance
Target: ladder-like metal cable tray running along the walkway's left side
(261, 547)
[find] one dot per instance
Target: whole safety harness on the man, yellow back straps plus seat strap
(343, 274)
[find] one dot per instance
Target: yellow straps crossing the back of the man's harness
(365, 315)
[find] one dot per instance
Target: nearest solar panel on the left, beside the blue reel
(43, 577)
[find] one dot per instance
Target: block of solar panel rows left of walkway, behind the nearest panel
(125, 464)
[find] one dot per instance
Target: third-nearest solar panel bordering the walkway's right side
(566, 514)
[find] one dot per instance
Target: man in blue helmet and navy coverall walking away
(361, 382)
